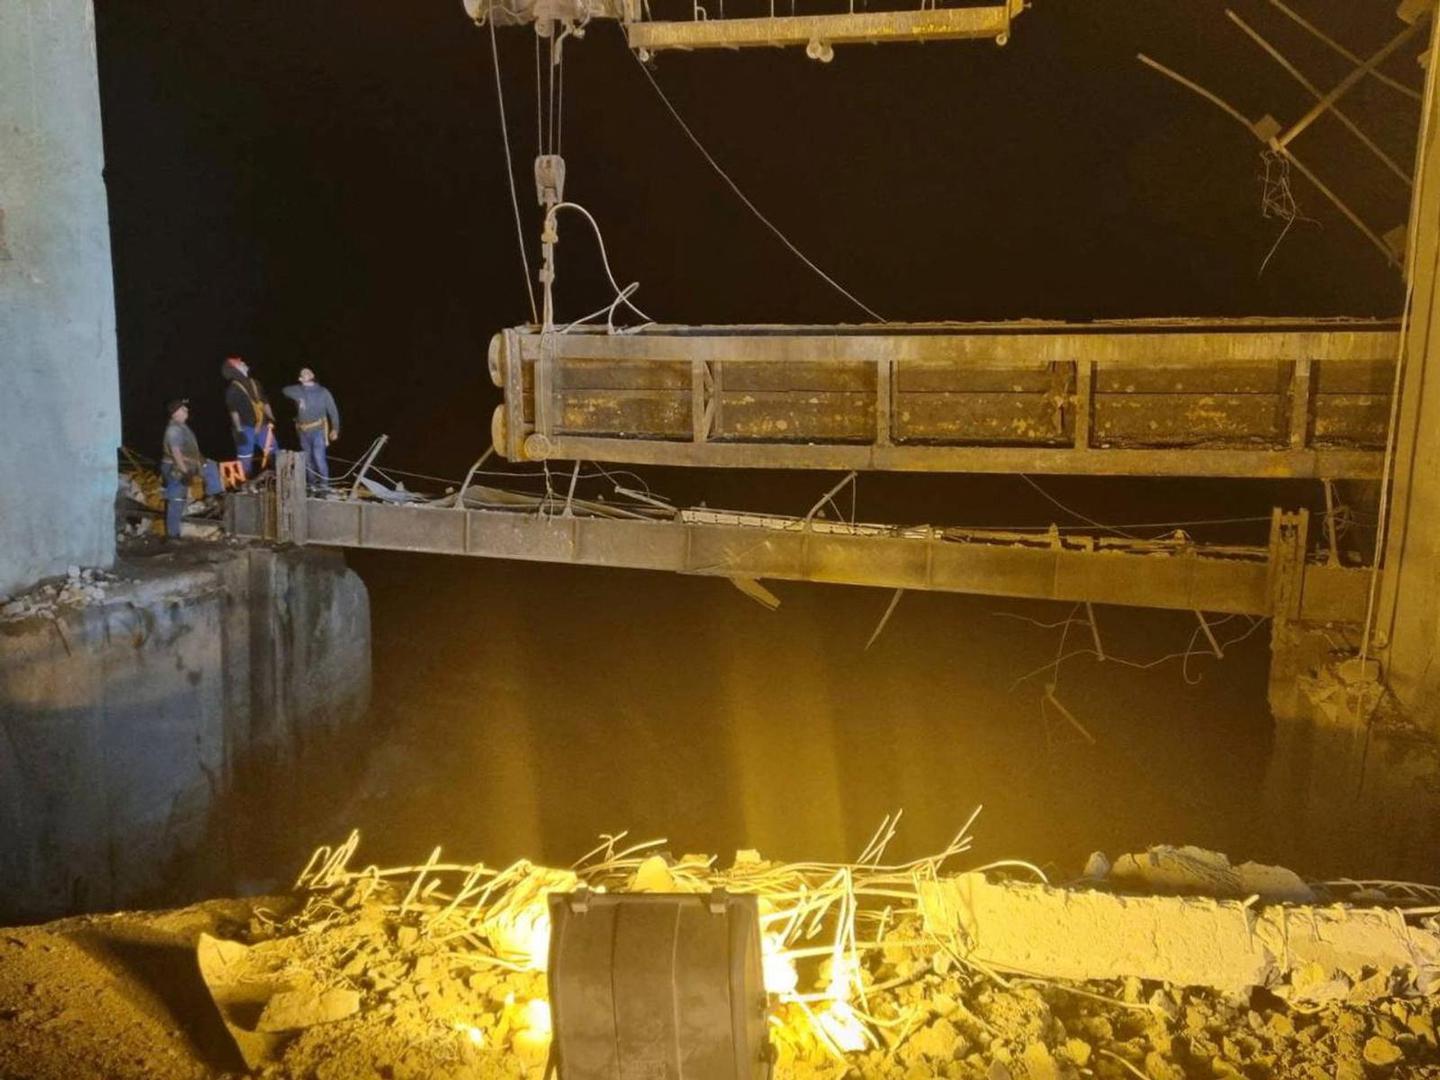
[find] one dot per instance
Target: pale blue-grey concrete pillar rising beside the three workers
(60, 394)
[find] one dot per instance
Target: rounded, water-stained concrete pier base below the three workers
(127, 722)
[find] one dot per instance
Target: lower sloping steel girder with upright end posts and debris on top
(1282, 581)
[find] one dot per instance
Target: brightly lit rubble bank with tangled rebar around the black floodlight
(437, 971)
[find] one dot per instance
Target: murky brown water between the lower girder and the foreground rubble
(526, 709)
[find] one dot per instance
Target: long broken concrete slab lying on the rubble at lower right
(1301, 953)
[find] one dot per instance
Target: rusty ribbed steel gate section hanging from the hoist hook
(1242, 398)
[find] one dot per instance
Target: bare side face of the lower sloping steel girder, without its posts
(1182, 577)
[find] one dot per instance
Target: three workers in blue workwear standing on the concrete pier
(253, 424)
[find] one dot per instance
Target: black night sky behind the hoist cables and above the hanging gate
(323, 184)
